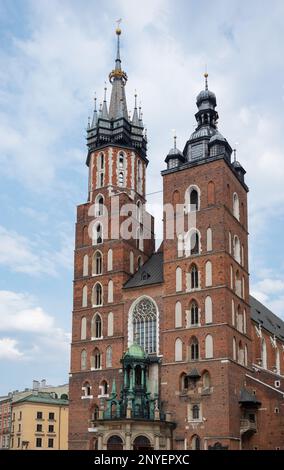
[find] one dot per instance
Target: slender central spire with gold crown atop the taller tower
(118, 79)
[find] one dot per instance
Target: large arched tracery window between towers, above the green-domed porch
(144, 320)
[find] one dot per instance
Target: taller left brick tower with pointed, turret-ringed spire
(104, 256)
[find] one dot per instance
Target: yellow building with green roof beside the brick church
(39, 422)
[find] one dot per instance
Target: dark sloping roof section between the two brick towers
(150, 273)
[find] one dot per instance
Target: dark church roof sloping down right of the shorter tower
(268, 320)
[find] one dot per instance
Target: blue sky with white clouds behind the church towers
(54, 55)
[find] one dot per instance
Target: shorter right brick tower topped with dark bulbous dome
(206, 286)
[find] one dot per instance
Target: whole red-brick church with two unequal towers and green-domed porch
(169, 350)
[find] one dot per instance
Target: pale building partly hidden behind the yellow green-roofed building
(60, 391)
